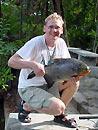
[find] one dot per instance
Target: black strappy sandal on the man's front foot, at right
(71, 123)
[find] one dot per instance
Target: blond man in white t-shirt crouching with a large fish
(36, 53)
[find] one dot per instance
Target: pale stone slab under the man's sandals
(45, 122)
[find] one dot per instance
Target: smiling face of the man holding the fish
(53, 29)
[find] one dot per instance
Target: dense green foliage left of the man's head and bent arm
(11, 24)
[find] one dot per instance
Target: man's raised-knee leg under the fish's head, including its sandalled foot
(67, 90)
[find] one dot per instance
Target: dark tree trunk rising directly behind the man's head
(58, 7)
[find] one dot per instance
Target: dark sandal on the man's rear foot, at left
(23, 114)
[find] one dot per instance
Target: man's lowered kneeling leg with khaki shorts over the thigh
(41, 101)
